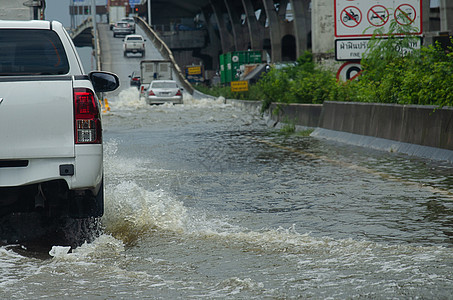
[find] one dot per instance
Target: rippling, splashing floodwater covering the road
(204, 201)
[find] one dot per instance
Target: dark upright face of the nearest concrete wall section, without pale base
(421, 125)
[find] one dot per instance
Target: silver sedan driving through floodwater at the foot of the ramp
(163, 91)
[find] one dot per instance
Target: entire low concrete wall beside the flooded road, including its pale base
(422, 131)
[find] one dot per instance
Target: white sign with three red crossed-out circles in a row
(360, 18)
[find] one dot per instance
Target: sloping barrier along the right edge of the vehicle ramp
(165, 51)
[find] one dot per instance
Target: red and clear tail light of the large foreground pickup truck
(88, 129)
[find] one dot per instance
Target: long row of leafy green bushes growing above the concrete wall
(423, 77)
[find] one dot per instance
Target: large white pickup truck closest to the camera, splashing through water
(51, 155)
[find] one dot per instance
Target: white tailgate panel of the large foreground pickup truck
(36, 118)
